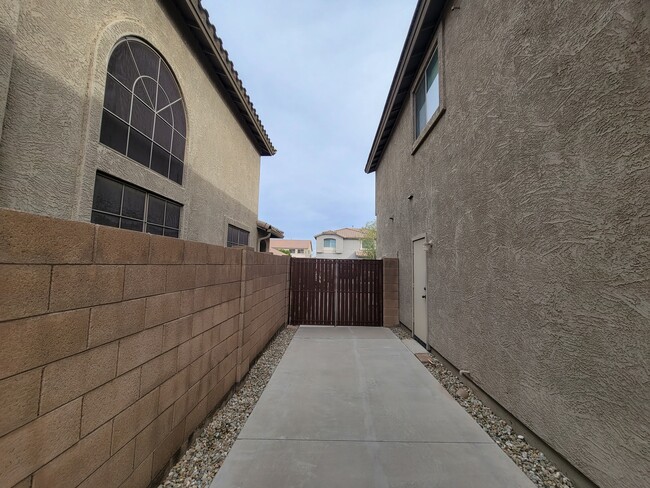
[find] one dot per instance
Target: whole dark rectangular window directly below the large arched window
(119, 204)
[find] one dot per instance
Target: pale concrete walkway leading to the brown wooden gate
(351, 407)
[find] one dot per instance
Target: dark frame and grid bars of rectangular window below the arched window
(145, 214)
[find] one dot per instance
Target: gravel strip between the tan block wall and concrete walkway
(200, 463)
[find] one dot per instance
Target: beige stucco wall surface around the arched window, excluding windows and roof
(49, 151)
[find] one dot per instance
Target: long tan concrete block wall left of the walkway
(116, 345)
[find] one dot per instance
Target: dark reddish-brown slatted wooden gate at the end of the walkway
(336, 292)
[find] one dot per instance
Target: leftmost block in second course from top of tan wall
(24, 290)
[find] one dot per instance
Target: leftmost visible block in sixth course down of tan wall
(78, 462)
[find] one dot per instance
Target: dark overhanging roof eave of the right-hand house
(423, 26)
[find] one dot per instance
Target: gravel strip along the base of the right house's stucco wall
(531, 461)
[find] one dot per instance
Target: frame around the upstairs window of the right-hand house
(436, 47)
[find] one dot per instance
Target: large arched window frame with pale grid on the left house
(176, 161)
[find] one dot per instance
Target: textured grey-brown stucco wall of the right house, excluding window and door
(533, 188)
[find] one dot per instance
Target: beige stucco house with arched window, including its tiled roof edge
(127, 114)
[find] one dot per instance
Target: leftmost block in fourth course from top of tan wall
(19, 395)
